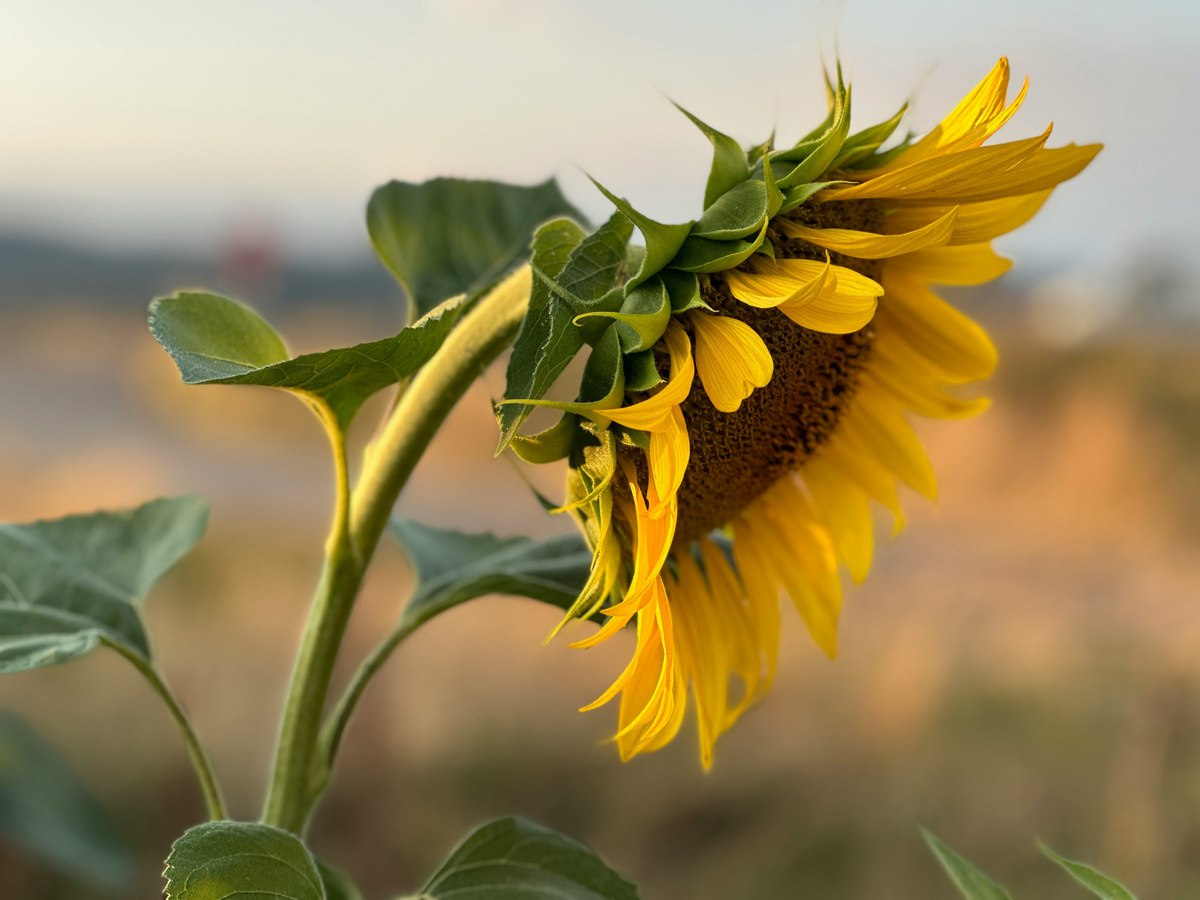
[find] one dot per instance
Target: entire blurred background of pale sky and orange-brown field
(1023, 662)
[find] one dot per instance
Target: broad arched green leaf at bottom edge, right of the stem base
(514, 860)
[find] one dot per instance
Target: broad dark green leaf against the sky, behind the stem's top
(452, 237)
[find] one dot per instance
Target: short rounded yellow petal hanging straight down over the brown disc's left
(733, 361)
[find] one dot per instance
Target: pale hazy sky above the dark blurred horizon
(140, 124)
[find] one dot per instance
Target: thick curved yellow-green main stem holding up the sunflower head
(302, 770)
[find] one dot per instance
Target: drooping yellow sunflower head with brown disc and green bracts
(748, 385)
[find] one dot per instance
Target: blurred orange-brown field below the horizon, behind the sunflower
(1022, 664)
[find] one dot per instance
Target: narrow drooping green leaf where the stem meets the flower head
(548, 340)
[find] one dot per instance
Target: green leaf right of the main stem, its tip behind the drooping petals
(454, 567)
